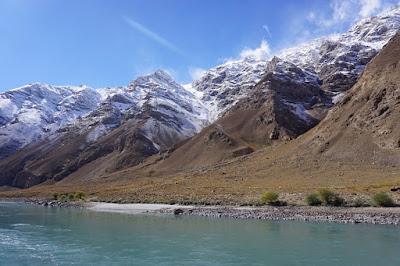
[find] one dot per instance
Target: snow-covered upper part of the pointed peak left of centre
(170, 110)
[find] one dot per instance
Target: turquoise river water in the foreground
(34, 235)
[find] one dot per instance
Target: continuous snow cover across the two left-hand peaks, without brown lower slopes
(34, 112)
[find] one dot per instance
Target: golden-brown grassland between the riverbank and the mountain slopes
(237, 181)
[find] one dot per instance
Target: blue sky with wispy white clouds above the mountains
(107, 43)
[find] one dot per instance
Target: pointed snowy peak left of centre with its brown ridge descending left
(150, 115)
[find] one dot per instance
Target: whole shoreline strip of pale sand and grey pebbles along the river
(347, 215)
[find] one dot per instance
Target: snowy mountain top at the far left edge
(31, 112)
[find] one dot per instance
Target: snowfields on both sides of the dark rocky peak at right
(337, 60)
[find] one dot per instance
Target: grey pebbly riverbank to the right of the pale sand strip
(389, 216)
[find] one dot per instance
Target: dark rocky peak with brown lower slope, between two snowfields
(283, 105)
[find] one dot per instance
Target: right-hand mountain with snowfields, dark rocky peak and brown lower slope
(292, 95)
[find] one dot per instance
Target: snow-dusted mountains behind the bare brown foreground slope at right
(233, 110)
